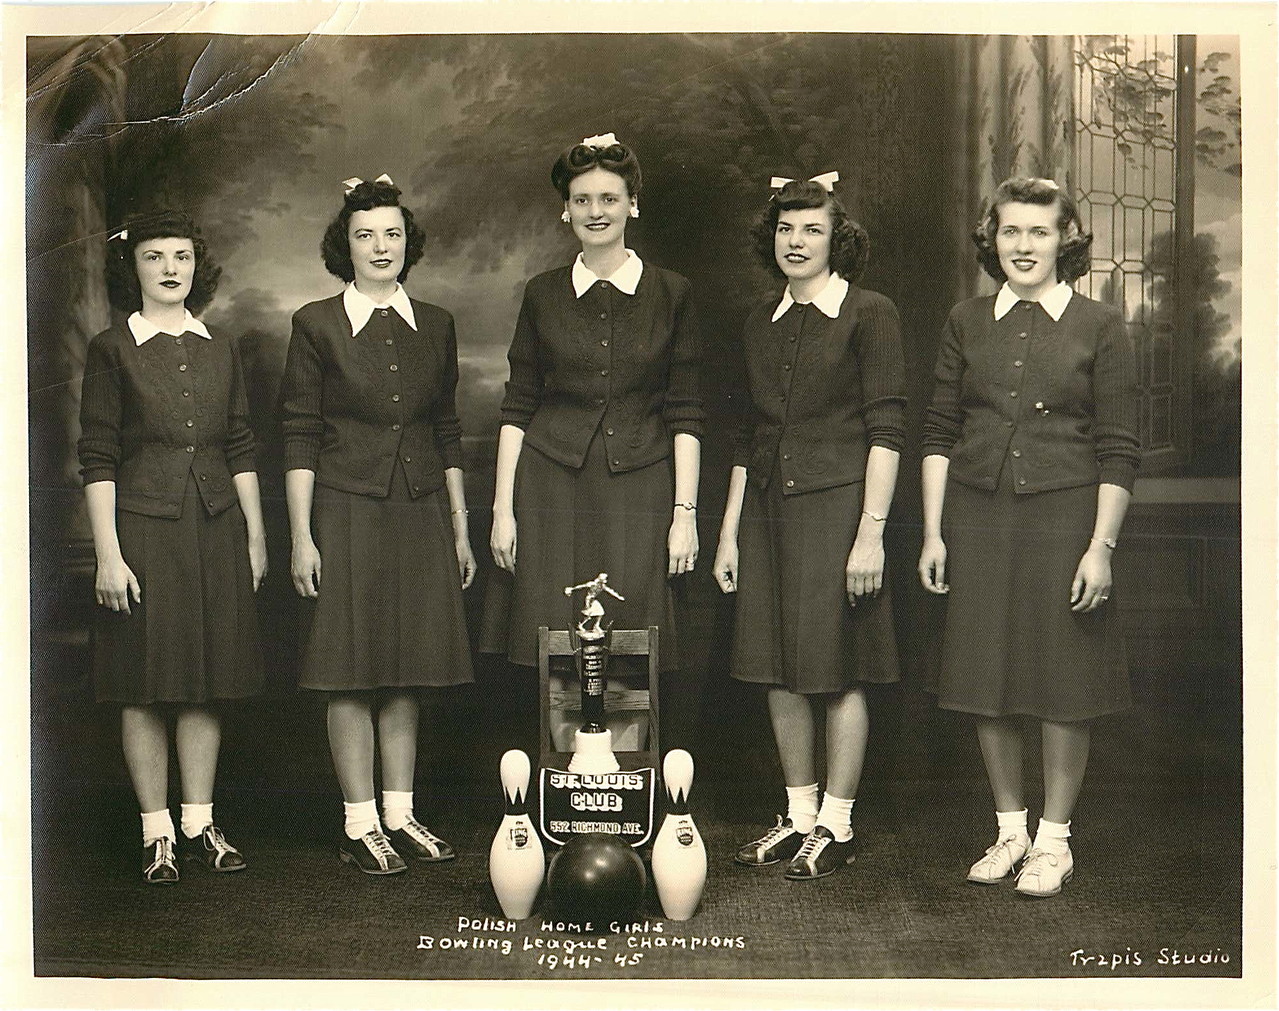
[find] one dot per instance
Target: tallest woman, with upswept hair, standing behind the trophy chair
(599, 451)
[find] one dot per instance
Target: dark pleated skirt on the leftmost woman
(194, 637)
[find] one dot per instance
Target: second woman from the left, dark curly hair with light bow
(375, 490)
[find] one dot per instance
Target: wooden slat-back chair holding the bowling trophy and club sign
(626, 643)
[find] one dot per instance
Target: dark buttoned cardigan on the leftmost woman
(154, 414)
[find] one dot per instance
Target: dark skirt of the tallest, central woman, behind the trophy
(572, 527)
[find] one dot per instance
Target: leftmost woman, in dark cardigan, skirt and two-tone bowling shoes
(167, 456)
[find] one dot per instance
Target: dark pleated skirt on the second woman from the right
(795, 626)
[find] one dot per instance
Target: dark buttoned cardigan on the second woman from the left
(352, 405)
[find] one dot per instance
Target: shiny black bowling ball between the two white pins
(597, 879)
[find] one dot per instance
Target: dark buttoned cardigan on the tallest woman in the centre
(627, 363)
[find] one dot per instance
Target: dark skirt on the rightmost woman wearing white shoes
(1012, 646)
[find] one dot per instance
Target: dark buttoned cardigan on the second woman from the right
(823, 392)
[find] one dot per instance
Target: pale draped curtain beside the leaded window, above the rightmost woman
(1012, 112)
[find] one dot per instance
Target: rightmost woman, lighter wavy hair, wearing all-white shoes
(1032, 446)
